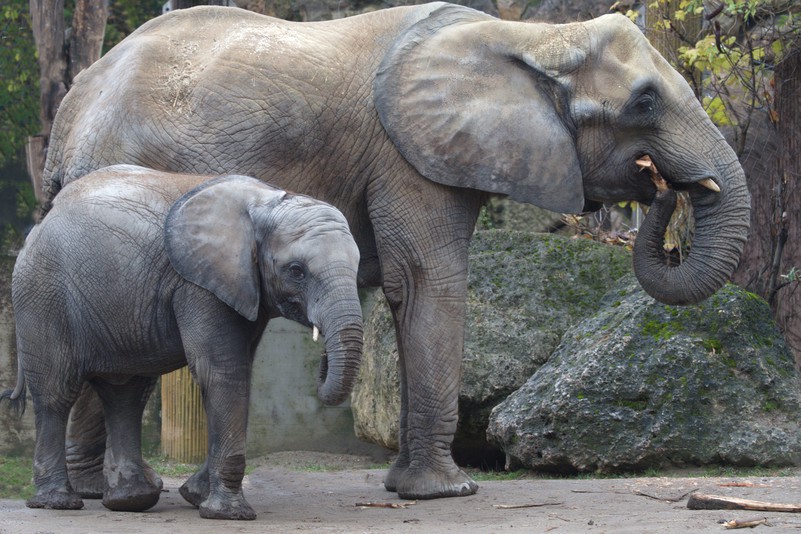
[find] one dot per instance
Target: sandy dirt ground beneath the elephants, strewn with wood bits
(291, 494)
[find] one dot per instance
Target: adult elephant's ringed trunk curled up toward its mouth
(721, 228)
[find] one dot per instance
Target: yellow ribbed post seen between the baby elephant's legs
(184, 434)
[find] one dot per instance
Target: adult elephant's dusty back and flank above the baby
(195, 89)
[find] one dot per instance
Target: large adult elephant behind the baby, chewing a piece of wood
(406, 119)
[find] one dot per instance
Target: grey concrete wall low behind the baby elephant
(285, 413)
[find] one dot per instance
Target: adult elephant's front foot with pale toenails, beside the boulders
(427, 483)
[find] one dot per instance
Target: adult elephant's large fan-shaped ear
(471, 101)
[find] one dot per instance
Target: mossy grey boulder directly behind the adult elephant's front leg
(525, 291)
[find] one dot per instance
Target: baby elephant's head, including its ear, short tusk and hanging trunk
(259, 248)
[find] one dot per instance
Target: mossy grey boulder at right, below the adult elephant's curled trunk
(642, 385)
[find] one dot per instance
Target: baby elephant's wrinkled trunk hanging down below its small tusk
(339, 365)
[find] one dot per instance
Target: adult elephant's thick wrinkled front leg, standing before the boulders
(424, 262)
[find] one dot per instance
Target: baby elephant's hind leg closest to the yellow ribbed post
(131, 484)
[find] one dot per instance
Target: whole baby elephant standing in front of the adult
(135, 273)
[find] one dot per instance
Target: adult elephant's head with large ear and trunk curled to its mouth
(556, 116)
